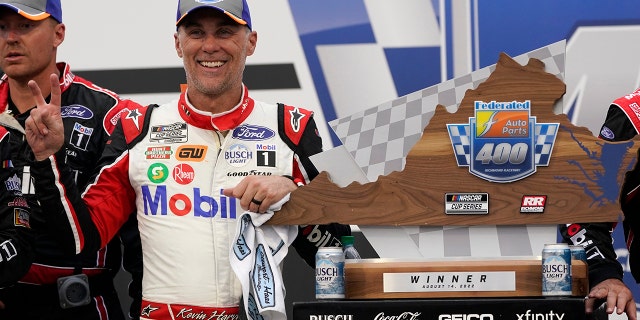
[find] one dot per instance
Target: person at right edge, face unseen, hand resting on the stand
(605, 272)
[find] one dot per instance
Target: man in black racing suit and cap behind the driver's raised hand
(59, 284)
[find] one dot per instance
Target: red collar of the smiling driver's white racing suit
(218, 121)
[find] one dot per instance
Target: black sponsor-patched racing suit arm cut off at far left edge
(16, 236)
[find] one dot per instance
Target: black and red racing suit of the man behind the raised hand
(89, 114)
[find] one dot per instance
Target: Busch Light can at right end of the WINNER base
(556, 270)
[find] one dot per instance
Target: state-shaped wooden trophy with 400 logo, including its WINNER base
(503, 158)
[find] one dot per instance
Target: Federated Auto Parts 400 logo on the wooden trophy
(502, 142)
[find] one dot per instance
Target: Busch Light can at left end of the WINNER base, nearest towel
(330, 273)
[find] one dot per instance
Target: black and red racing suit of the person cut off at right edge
(621, 123)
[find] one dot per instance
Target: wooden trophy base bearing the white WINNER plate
(457, 277)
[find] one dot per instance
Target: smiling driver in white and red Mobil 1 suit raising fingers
(189, 168)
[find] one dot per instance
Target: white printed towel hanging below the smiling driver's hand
(256, 257)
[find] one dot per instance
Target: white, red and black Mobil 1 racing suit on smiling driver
(170, 164)
